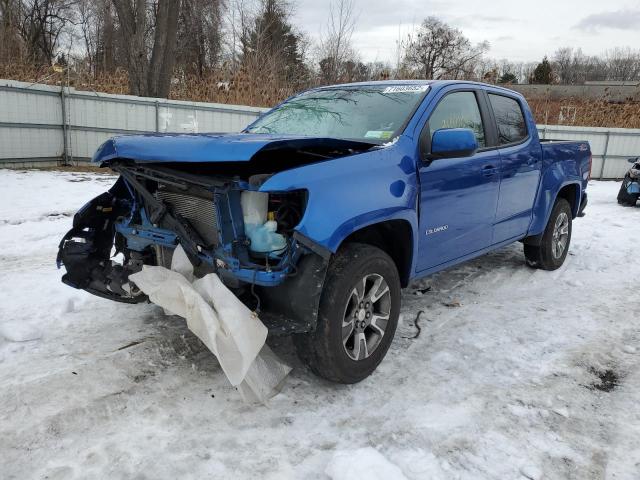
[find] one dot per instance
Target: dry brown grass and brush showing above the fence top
(266, 89)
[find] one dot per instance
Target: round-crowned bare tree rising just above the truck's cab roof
(437, 51)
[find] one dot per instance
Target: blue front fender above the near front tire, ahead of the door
(344, 188)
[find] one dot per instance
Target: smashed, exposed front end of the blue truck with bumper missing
(224, 224)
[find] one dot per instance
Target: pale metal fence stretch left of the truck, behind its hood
(44, 125)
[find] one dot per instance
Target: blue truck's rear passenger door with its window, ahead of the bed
(520, 167)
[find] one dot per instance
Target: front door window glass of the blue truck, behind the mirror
(458, 110)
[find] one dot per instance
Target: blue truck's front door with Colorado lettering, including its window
(458, 196)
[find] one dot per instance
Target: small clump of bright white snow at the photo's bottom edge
(362, 463)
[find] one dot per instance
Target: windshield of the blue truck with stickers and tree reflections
(374, 114)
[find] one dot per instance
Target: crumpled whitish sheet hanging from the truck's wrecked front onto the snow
(234, 334)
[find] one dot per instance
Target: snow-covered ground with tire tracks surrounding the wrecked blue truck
(504, 382)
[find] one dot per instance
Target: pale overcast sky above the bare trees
(517, 30)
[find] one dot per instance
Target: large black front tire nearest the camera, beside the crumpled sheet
(324, 350)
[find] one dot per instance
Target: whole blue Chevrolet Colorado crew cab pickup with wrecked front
(325, 207)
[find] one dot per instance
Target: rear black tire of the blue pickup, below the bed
(548, 256)
